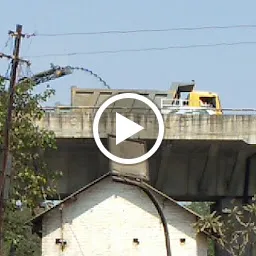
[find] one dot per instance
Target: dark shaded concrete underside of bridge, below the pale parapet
(183, 169)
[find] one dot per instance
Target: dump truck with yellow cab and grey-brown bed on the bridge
(180, 99)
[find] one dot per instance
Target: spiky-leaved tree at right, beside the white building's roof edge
(235, 231)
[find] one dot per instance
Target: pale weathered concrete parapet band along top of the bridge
(78, 124)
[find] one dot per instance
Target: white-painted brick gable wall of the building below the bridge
(107, 219)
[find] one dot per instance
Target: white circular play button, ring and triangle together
(125, 128)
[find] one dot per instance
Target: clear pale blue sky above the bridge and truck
(228, 71)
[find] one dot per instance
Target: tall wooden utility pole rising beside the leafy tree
(8, 125)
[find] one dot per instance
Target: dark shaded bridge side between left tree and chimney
(80, 161)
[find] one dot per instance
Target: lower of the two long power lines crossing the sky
(142, 49)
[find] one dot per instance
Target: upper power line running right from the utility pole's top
(241, 26)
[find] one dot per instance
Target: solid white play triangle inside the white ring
(125, 128)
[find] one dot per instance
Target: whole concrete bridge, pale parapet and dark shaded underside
(201, 157)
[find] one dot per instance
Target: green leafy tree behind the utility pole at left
(31, 179)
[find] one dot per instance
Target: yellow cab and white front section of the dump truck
(183, 99)
